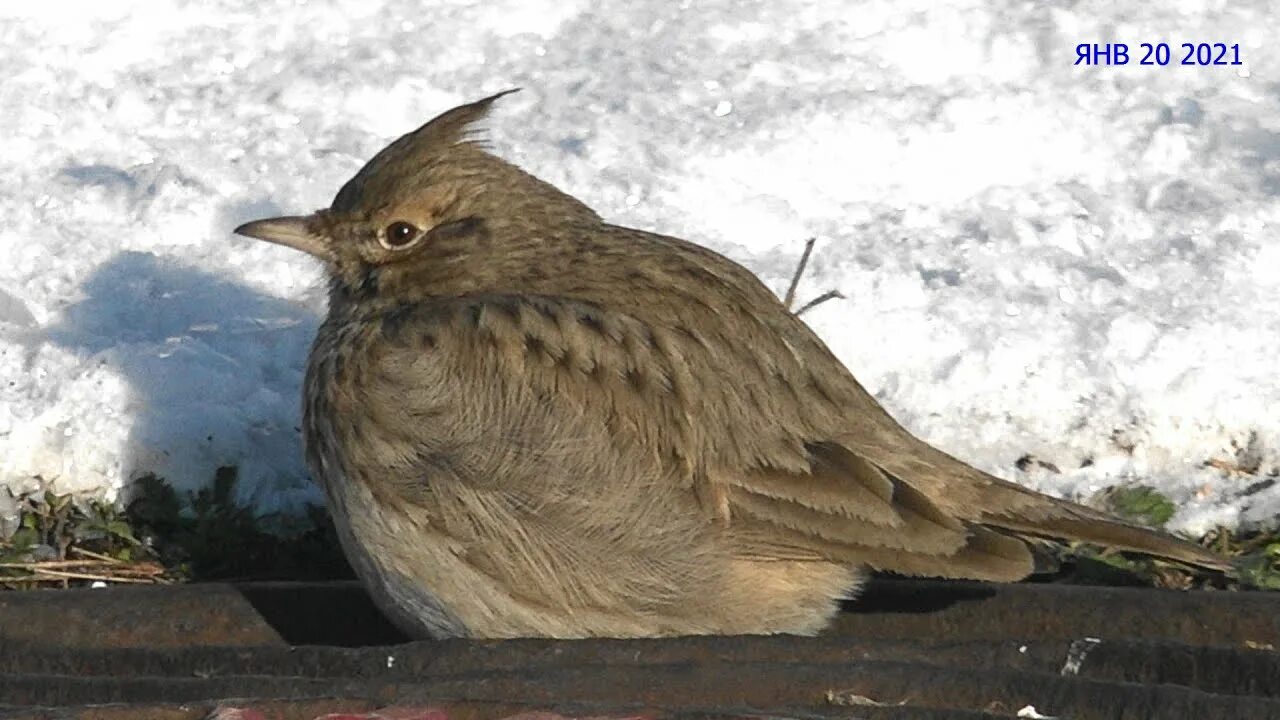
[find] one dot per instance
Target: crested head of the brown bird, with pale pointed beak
(433, 213)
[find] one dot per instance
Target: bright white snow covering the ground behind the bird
(1073, 263)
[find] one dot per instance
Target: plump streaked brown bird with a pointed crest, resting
(529, 422)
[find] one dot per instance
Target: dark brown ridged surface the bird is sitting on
(915, 650)
